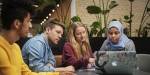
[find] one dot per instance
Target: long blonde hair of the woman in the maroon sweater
(79, 50)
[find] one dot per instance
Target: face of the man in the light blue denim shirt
(54, 34)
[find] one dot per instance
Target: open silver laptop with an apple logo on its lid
(115, 62)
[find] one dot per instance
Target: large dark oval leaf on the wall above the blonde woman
(93, 9)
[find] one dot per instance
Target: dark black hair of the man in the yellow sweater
(14, 9)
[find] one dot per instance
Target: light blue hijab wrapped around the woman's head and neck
(122, 40)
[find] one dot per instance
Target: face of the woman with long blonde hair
(80, 34)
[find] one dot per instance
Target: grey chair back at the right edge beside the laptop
(143, 62)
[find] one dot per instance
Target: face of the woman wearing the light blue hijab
(114, 35)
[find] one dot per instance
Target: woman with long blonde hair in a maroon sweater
(77, 50)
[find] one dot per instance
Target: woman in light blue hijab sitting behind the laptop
(116, 39)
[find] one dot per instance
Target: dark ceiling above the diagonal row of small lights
(43, 8)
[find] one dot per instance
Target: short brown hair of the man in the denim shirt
(52, 22)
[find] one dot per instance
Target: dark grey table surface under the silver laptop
(92, 72)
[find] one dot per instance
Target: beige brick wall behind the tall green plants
(117, 13)
